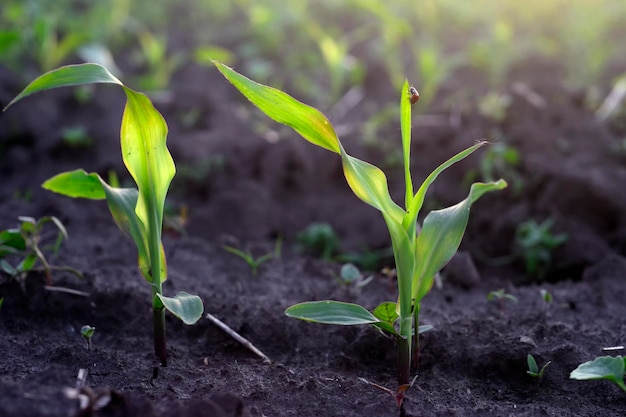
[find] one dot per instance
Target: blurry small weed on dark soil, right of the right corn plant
(535, 244)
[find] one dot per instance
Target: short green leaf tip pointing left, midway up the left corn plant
(76, 184)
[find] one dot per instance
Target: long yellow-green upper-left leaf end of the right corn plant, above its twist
(309, 122)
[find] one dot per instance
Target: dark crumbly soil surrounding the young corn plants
(473, 363)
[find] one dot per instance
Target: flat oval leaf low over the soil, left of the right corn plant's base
(331, 312)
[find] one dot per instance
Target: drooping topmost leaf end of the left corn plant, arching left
(68, 76)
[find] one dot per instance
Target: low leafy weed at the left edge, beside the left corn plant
(26, 244)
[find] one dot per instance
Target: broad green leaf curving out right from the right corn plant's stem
(441, 235)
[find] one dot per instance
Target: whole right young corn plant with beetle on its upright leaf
(418, 256)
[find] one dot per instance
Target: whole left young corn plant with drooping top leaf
(137, 211)
